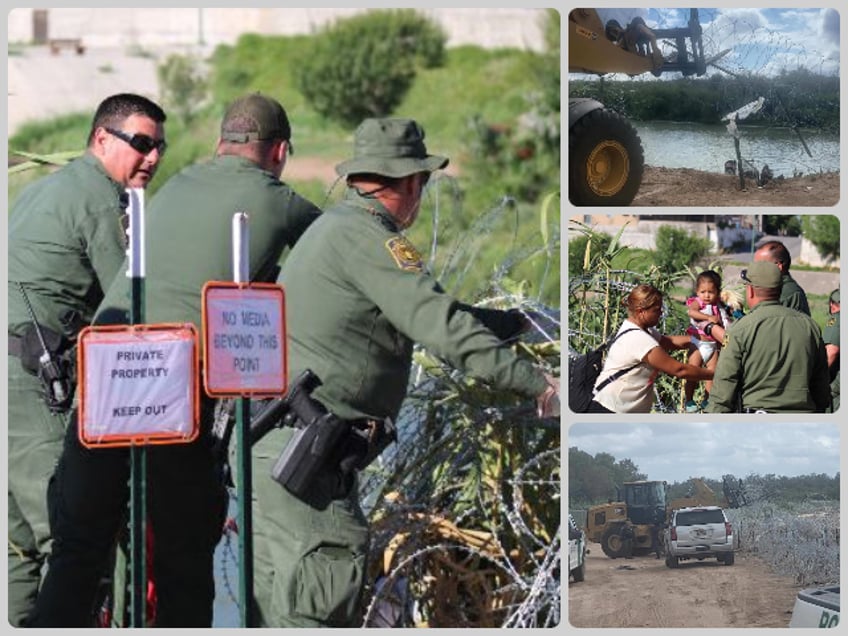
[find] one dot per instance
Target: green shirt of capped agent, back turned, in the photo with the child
(774, 358)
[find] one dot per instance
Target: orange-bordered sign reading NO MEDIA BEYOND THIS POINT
(244, 339)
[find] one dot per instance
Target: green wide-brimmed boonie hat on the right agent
(391, 147)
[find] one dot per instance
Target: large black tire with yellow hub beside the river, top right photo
(606, 160)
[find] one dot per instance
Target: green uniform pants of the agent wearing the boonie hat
(310, 558)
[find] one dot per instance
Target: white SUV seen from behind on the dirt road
(698, 533)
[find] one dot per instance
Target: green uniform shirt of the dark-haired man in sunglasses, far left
(65, 243)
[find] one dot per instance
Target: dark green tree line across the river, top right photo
(794, 99)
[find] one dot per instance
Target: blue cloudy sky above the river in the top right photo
(762, 41)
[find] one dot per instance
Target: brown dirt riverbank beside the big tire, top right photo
(685, 187)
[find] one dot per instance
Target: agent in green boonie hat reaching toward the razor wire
(357, 298)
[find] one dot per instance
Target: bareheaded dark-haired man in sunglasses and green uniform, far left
(65, 246)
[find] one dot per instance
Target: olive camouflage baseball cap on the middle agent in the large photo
(253, 118)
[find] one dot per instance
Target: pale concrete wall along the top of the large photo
(148, 27)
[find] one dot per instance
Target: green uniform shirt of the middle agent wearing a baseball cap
(188, 233)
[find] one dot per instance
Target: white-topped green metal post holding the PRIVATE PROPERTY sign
(138, 454)
